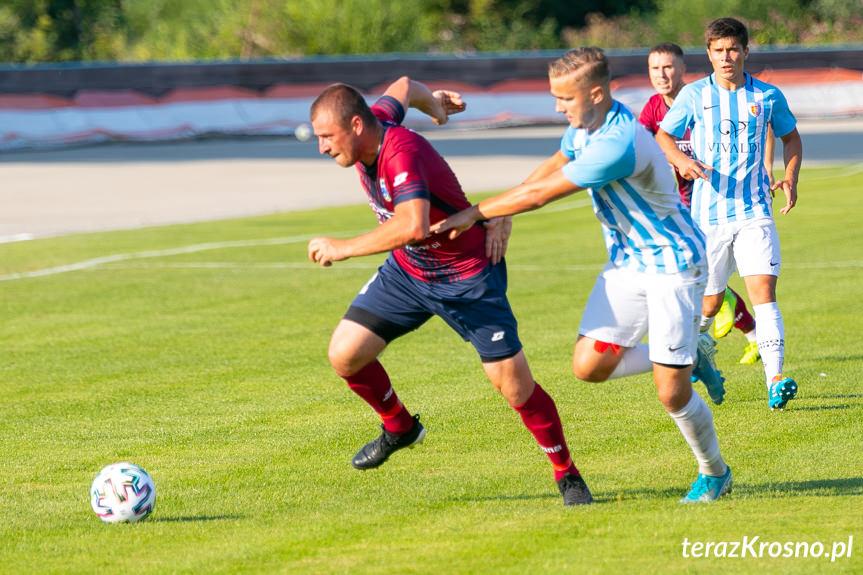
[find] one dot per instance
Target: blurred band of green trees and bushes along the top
(135, 30)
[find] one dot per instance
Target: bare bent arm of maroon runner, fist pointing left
(408, 225)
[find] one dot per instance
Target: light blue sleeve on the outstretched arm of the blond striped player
(605, 159)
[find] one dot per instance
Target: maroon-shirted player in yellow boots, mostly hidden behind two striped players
(666, 68)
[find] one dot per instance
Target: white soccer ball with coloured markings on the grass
(122, 492)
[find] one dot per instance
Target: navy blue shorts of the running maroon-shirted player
(393, 303)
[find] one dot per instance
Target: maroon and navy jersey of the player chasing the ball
(408, 167)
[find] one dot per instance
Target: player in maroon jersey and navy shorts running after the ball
(408, 184)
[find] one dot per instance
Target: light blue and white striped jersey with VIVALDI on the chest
(728, 131)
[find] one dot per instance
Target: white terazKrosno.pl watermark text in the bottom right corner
(756, 548)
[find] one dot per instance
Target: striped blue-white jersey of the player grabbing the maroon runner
(634, 195)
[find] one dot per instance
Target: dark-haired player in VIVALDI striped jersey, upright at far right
(728, 114)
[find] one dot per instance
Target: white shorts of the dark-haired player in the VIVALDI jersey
(753, 245)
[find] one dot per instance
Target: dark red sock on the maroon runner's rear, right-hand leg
(539, 415)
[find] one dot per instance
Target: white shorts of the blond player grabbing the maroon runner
(625, 305)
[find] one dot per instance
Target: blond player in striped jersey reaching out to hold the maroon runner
(655, 277)
